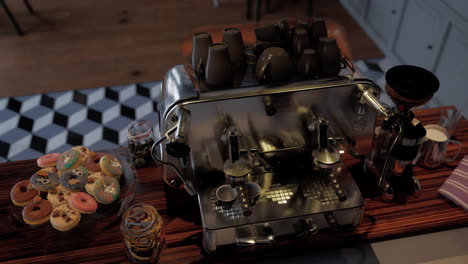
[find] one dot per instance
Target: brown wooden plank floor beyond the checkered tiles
(86, 43)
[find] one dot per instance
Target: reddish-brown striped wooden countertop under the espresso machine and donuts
(100, 241)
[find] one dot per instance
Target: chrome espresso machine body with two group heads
(266, 135)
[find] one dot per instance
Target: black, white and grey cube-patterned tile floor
(31, 126)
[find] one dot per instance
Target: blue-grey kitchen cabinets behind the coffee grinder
(432, 34)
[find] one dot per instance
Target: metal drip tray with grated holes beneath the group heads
(282, 197)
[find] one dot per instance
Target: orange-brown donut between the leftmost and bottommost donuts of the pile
(37, 212)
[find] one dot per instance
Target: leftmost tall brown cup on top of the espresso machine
(200, 45)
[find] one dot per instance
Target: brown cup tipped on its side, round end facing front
(274, 64)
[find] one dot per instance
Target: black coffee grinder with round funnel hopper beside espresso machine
(397, 142)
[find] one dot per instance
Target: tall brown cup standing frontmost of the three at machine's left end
(218, 68)
